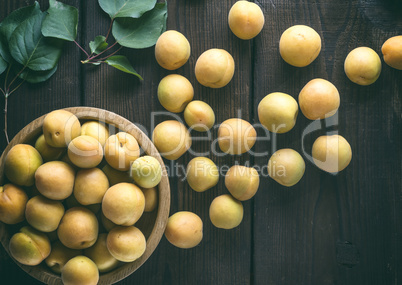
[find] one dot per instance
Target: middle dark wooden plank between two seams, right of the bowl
(223, 257)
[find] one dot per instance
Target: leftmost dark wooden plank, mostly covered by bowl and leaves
(32, 101)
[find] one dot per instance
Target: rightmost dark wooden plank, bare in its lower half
(342, 229)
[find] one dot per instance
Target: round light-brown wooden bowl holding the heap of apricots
(151, 224)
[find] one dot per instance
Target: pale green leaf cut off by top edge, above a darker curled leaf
(126, 8)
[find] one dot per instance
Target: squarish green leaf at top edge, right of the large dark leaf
(61, 21)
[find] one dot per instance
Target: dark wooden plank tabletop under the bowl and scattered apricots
(342, 229)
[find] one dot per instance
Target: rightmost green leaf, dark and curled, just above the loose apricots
(142, 32)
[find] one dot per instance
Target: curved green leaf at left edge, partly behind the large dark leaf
(10, 23)
